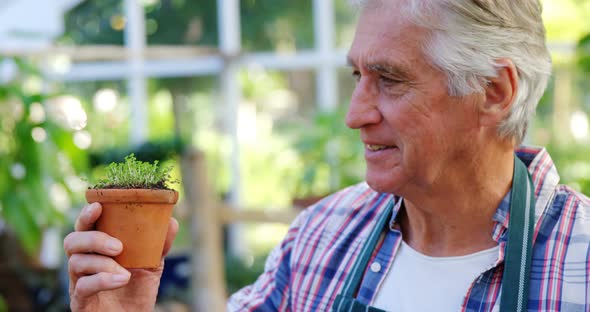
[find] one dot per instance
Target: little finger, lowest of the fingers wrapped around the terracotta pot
(92, 284)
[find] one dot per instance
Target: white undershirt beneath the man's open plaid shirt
(417, 282)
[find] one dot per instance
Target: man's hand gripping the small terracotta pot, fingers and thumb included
(97, 282)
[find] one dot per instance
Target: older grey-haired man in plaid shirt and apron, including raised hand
(452, 217)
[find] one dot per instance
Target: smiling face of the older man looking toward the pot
(415, 134)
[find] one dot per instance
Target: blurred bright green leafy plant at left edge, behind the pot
(39, 161)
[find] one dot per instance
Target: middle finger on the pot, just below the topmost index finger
(92, 242)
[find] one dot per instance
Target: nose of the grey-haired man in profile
(363, 110)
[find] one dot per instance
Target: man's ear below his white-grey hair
(500, 93)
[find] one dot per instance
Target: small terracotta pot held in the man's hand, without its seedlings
(139, 218)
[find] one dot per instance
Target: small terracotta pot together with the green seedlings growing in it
(136, 209)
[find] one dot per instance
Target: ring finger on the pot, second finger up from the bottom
(88, 264)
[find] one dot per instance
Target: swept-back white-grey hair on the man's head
(468, 37)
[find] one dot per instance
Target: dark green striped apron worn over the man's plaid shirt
(517, 263)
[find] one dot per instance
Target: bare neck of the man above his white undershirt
(455, 217)
